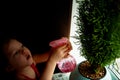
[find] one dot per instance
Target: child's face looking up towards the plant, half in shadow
(18, 55)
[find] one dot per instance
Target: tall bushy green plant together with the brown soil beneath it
(98, 25)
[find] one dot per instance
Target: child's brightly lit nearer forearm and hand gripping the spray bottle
(56, 55)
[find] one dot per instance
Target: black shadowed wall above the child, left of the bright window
(36, 23)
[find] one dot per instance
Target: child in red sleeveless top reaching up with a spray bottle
(20, 61)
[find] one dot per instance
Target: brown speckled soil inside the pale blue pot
(84, 69)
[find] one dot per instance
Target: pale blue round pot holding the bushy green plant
(76, 75)
